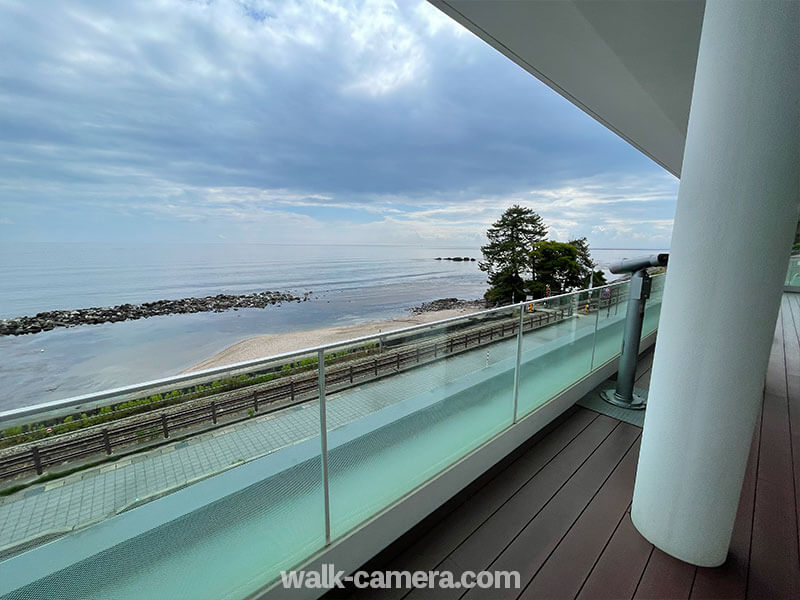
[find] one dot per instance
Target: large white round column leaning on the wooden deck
(734, 223)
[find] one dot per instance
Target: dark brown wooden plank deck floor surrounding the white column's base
(559, 512)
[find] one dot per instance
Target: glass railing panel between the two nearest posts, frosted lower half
(423, 402)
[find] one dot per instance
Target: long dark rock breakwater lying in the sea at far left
(45, 321)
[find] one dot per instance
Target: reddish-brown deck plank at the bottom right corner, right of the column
(773, 553)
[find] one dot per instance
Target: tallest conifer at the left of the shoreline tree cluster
(506, 258)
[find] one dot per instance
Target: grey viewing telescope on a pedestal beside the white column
(624, 395)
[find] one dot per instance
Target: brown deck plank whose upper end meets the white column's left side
(563, 573)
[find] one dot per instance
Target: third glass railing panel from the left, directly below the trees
(557, 342)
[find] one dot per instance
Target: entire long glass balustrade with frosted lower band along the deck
(253, 468)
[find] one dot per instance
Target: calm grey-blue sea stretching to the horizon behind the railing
(349, 284)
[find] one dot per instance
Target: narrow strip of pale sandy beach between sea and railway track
(269, 345)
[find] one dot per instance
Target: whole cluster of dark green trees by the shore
(520, 261)
